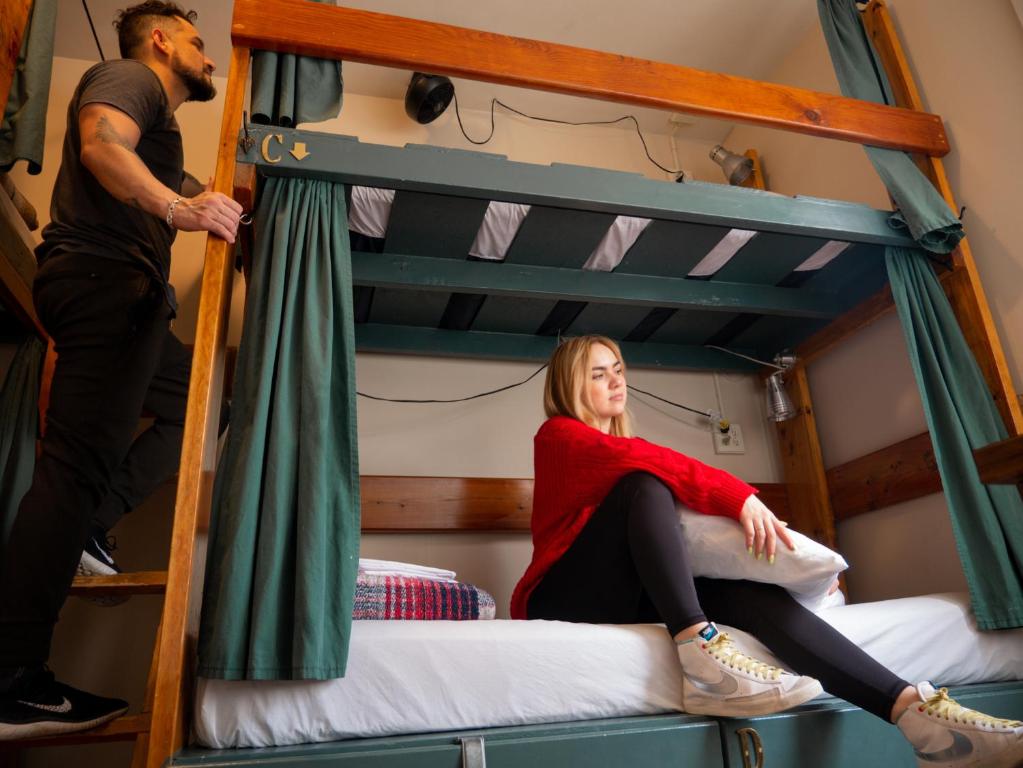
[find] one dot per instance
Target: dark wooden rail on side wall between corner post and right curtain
(891, 476)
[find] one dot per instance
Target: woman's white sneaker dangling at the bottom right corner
(946, 735)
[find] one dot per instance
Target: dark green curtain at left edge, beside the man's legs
(20, 421)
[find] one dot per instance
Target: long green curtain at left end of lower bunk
(285, 533)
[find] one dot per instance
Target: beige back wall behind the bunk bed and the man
(107, 651)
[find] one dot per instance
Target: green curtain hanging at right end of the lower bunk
(988, 521)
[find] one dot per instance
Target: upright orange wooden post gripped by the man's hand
(185, 576)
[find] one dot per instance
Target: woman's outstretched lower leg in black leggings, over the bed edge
(804, 641)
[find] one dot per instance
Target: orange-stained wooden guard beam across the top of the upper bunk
(351, 35)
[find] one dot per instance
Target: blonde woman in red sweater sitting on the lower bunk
(608, 549)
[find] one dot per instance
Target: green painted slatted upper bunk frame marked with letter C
(442, 197)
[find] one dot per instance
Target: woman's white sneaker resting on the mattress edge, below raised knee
(719, 680)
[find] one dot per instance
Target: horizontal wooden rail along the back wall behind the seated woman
(395, 505)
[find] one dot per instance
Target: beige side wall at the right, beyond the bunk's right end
(968, 61)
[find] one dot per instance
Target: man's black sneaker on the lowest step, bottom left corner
(39, 706)
